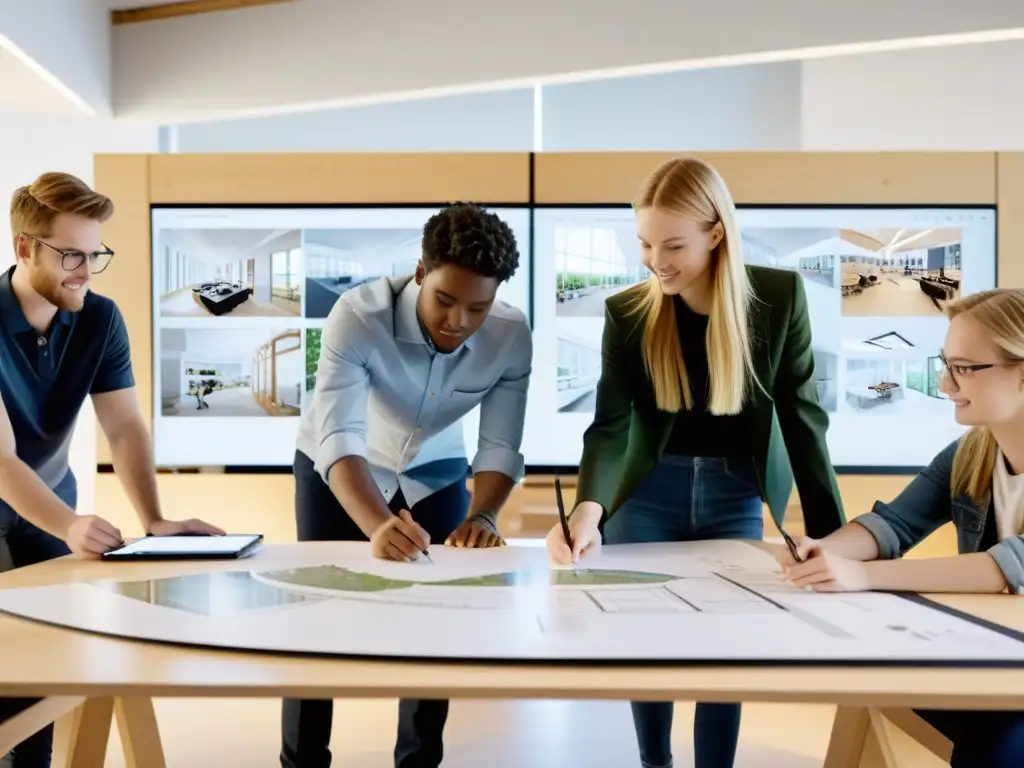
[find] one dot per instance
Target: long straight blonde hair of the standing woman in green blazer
(692, 188)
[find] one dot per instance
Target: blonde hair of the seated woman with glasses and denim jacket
(1001, 313)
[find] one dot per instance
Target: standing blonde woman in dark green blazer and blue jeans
(707, 391)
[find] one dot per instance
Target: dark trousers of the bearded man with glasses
(28, 546)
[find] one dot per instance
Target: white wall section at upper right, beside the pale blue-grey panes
(962, 98)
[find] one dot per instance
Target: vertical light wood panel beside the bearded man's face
(125, 179)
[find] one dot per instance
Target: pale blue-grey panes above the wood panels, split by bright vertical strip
(737, 108)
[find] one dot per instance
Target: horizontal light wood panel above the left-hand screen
(340, 179)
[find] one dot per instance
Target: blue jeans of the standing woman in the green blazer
(690, 499)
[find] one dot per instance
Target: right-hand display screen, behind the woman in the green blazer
(877, 281)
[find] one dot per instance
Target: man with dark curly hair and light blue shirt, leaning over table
(380, 452)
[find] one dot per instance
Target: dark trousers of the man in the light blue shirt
(307, 723)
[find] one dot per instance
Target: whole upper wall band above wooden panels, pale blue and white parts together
(957, 98)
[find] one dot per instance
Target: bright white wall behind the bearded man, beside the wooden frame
(31, 145)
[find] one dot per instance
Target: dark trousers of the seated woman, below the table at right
(982, 740)
